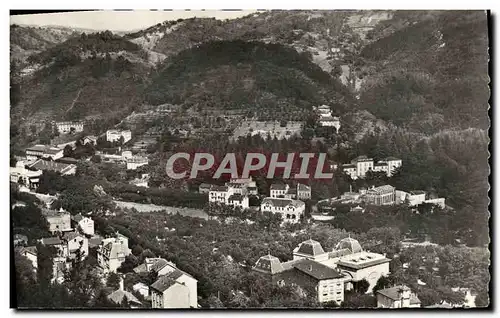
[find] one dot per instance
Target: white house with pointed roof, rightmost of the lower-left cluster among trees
(111, 252)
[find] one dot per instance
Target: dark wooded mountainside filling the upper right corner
(430, 74)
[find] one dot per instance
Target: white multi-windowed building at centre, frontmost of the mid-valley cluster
(290, 210)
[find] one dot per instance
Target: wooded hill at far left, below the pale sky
(93, 74)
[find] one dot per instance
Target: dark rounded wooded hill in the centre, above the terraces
(241, 74)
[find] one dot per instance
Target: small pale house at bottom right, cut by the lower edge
(397, 297)
